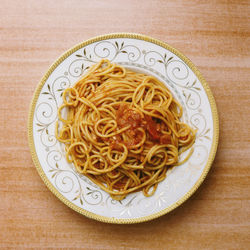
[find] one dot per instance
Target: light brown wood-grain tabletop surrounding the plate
(213, 34)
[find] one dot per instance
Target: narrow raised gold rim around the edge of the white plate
(112, 219)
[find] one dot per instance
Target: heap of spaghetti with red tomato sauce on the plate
(122, 129)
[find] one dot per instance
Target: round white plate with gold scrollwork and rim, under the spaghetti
(140, 53)
